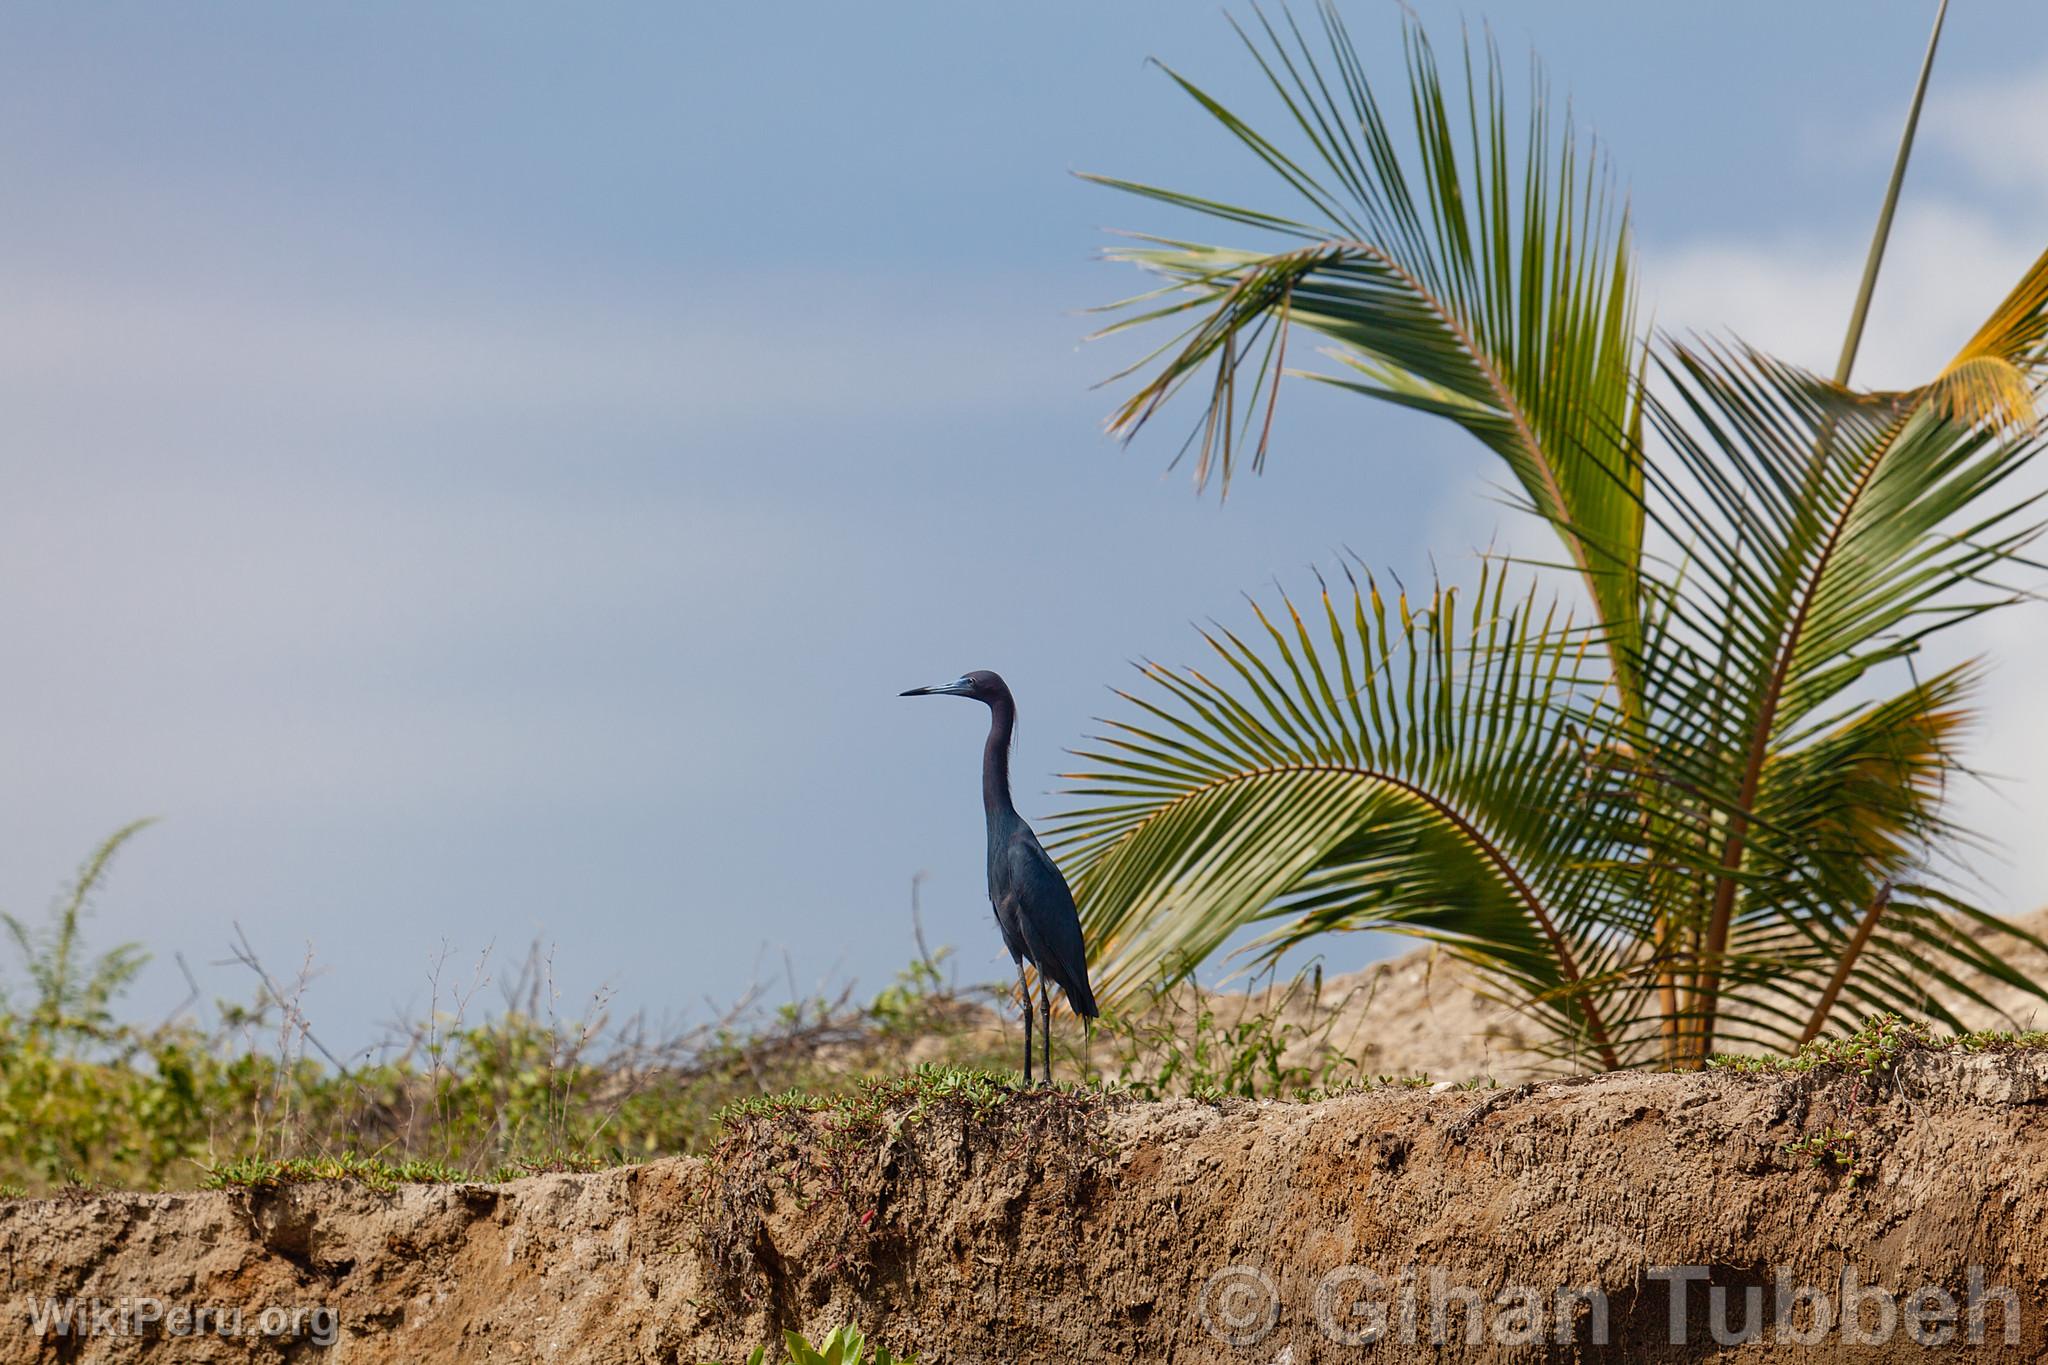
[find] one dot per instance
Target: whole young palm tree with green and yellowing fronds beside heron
(1680, 791)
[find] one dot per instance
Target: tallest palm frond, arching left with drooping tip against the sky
(1457, 267)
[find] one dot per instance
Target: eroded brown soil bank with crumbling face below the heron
(1066, 1229)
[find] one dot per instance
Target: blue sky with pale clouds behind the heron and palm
(484, 474)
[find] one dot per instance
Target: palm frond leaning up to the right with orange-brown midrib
(1828, 535)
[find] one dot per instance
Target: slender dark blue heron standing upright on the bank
(1031, 897)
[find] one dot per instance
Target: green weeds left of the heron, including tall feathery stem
(253, 1098)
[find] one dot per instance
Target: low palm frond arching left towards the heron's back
(1431, 770)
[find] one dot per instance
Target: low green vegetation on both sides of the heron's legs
(253, 1100)
